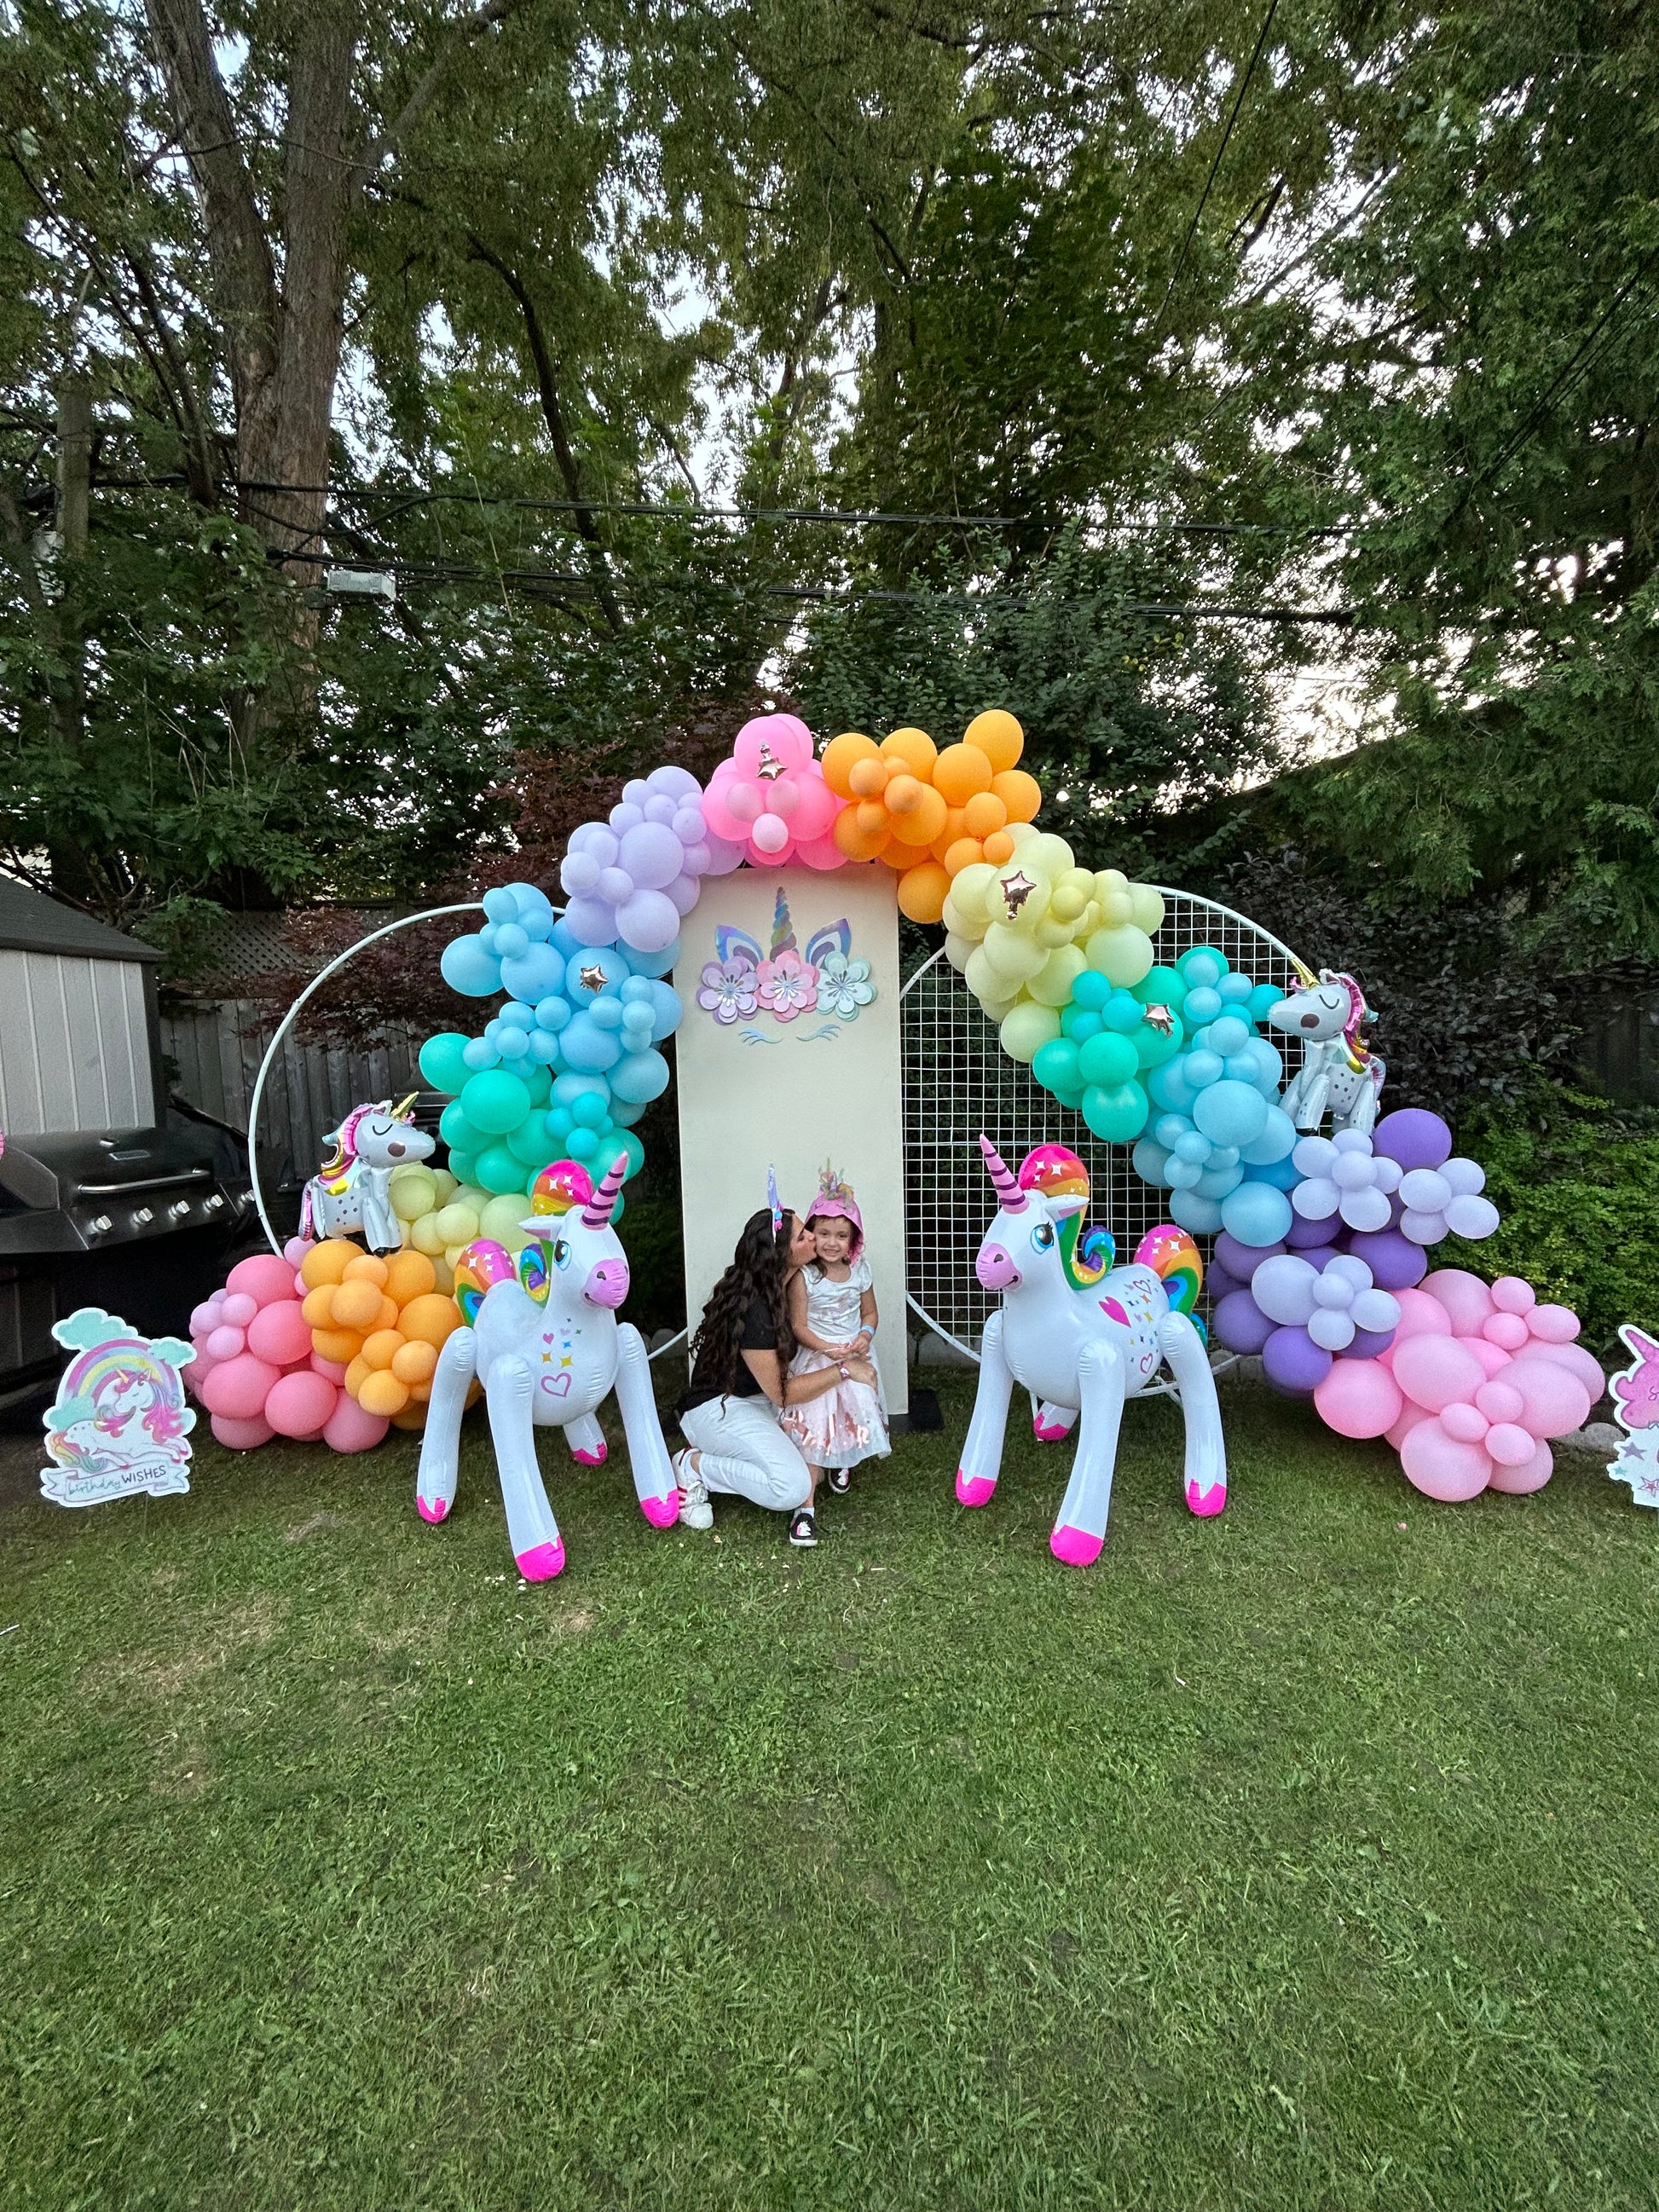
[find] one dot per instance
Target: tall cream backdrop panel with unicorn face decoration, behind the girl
(795, 1094)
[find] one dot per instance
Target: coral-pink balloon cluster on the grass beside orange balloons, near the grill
(255, 1368)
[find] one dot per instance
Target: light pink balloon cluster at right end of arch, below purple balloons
(1472, 1388)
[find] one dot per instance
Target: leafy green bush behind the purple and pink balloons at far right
(1576, 1182)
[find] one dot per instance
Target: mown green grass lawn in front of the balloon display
(1302, 1859)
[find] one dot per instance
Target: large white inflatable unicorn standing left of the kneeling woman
(545, 1342)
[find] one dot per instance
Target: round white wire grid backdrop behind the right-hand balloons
(959, 1083)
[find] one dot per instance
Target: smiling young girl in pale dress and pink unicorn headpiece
(833, 1313)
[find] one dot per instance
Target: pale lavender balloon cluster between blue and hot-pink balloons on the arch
(634, 877)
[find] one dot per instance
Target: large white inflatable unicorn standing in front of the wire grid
(1085, 1337)
